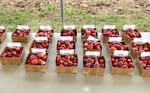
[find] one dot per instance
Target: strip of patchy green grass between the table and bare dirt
(78, 17)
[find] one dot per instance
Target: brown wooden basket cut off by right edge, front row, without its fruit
(143, 72)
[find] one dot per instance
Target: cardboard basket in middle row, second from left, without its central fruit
(62, 50)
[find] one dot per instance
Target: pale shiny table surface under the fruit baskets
(14, 79)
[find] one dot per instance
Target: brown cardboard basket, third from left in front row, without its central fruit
(66, 68)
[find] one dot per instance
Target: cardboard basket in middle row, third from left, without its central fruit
(92, 50)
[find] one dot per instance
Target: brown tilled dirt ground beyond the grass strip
(90, 6)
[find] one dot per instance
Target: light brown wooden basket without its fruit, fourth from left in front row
(95, 71)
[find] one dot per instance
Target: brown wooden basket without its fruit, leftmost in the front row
(12, 60)
